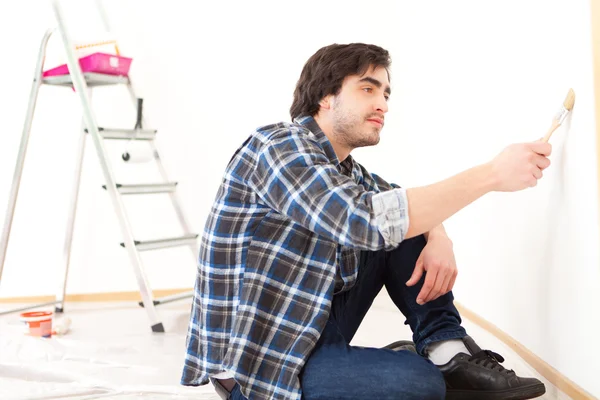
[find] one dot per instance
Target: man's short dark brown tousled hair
(325, 71)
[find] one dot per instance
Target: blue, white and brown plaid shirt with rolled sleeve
(282, 237)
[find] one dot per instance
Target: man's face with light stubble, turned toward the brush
(358, 111)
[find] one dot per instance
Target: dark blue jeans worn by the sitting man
(336, 370)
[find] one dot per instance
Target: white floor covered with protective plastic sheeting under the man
(110, 353)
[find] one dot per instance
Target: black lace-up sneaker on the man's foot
(480, 376)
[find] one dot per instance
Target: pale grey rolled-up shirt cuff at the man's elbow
(391, 214)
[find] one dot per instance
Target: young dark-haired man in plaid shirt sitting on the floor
(301, 239)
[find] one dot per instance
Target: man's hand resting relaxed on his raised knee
(437, 258)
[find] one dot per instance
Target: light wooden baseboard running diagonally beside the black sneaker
(561, 382)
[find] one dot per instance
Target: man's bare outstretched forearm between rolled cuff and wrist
(429, 206)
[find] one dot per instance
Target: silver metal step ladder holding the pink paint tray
(83, 83)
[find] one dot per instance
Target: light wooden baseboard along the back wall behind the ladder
(95, 297)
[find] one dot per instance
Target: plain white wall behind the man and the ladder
(468, 79)
